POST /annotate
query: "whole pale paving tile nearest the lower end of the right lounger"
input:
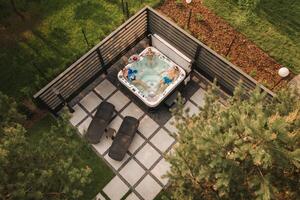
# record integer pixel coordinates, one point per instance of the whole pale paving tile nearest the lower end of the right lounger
(132, 172)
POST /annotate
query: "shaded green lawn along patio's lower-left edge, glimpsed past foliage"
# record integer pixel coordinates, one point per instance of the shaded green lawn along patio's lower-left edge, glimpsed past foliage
(101, 173)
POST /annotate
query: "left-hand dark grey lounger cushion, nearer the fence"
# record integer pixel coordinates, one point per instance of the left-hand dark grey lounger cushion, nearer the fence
(99, 123)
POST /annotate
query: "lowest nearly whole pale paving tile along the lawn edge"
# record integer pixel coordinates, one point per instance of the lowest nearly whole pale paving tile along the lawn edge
(115, 189)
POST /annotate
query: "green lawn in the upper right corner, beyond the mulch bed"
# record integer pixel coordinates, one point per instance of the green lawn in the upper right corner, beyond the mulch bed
(276, 28)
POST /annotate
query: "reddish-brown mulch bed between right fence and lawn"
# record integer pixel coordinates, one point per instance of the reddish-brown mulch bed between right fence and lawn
(225, 40)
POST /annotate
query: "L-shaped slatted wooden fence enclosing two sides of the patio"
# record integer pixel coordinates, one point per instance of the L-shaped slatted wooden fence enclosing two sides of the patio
(147, 21)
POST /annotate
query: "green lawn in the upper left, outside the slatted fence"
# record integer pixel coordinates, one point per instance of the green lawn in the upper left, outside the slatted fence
(36, 50)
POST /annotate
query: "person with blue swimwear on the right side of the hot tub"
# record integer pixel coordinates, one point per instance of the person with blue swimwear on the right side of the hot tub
(168, 77)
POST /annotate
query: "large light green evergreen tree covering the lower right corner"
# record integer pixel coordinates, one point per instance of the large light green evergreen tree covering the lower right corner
(246, 150)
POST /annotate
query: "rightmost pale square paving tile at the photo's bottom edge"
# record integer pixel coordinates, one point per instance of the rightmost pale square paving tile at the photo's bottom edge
(148, 188)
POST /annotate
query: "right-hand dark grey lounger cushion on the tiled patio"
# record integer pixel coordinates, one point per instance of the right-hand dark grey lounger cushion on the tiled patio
(123, 139)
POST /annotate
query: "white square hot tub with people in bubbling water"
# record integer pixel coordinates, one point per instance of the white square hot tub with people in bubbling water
(151, 78)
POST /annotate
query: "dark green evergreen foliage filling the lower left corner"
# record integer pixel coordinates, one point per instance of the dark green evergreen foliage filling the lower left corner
(44, 171)
